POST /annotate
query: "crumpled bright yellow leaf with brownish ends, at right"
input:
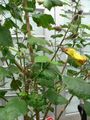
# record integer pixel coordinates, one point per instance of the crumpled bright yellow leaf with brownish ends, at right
(80, 59)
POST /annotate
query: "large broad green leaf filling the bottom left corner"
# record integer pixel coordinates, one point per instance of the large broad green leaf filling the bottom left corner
(14, 108)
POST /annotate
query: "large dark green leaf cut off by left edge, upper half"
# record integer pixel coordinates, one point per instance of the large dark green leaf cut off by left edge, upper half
(5, 37)
